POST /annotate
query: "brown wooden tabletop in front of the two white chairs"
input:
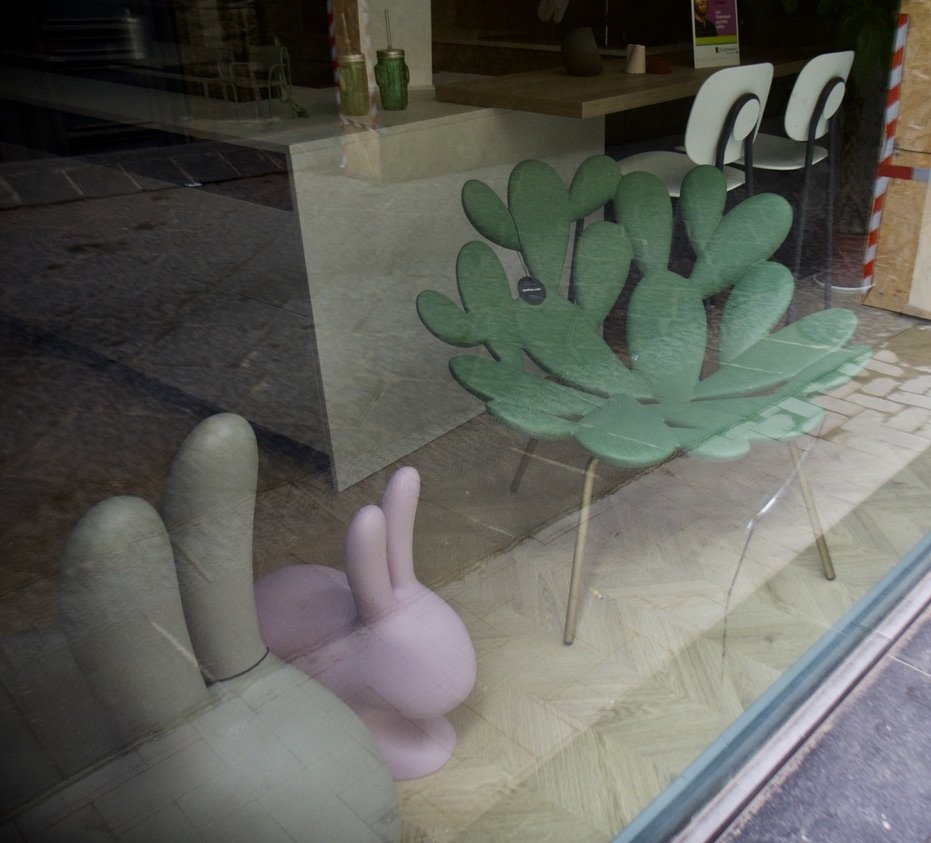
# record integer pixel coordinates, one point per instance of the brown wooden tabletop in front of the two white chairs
(556, 92)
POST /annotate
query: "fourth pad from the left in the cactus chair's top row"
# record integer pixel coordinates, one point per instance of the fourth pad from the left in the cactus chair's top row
(644, 208)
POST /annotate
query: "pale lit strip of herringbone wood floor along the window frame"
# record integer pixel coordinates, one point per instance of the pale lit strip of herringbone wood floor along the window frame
(561, 743)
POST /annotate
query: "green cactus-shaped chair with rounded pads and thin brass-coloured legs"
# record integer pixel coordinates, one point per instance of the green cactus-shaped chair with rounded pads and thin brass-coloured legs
(675, 395)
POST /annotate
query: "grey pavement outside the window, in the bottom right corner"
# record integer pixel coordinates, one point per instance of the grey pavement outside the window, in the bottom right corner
(865, 774)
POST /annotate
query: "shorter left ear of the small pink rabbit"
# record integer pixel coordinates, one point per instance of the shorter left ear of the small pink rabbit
(367, 564)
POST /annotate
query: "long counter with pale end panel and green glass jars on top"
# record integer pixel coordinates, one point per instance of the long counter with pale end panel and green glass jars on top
(376, 219)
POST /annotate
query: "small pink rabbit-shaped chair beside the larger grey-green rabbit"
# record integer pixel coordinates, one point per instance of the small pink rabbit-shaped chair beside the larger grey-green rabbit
(389, 647)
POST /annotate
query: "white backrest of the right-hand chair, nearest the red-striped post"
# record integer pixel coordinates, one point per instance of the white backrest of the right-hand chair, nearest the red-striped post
(825, 74)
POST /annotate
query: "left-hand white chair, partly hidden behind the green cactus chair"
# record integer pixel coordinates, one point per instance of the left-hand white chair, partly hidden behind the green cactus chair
(722, 125)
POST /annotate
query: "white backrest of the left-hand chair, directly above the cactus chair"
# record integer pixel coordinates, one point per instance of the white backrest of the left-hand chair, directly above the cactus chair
(747, 86)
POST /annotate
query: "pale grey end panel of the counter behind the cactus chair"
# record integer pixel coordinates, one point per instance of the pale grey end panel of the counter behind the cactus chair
(380, 220)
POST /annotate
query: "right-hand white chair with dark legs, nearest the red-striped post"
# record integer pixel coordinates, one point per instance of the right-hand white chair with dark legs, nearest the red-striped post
(813, 104)
